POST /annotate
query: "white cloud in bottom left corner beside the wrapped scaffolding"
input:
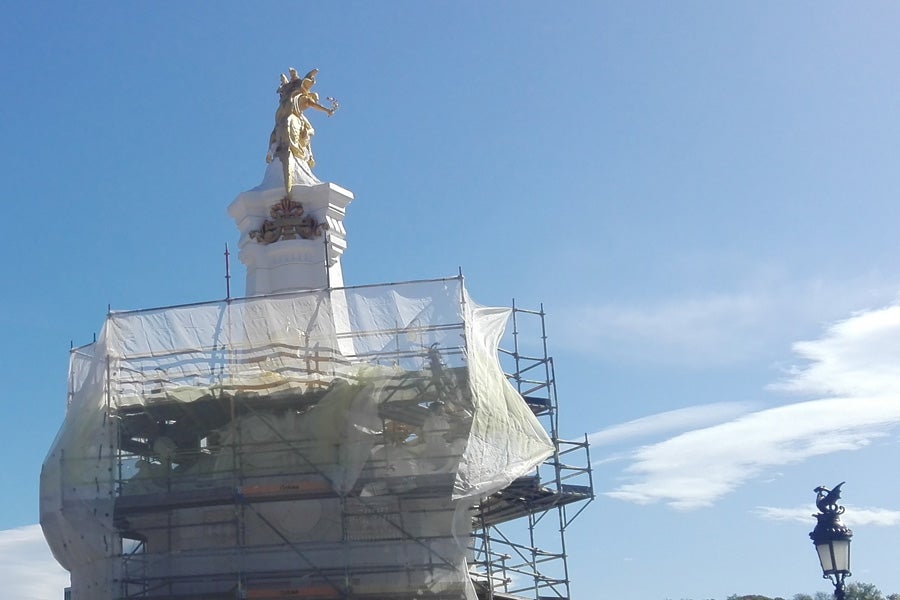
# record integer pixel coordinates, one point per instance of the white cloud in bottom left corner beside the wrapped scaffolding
(27, 569)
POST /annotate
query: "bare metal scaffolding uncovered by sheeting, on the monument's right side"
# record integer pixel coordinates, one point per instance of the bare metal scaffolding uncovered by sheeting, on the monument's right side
(520, 536)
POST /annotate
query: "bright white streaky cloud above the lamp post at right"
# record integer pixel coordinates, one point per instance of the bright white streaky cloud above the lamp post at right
(853, 358)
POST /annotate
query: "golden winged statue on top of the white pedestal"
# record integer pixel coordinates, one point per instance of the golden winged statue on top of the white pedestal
(290, 139)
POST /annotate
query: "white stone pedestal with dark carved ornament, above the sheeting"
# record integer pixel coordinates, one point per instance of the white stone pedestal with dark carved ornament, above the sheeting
(291, 243)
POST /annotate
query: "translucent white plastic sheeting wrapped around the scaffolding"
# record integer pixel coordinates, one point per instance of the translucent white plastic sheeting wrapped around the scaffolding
(313, 443)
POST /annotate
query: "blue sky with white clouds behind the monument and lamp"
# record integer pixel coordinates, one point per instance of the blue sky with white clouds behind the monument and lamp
(703, 195)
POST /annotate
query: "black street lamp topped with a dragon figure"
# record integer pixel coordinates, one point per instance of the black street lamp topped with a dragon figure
(832, 538)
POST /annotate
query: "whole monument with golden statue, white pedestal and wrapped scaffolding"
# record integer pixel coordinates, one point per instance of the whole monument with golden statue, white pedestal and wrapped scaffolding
(312, 440)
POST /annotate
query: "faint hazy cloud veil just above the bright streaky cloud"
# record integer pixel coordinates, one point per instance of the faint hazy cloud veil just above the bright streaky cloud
(749, 322)
